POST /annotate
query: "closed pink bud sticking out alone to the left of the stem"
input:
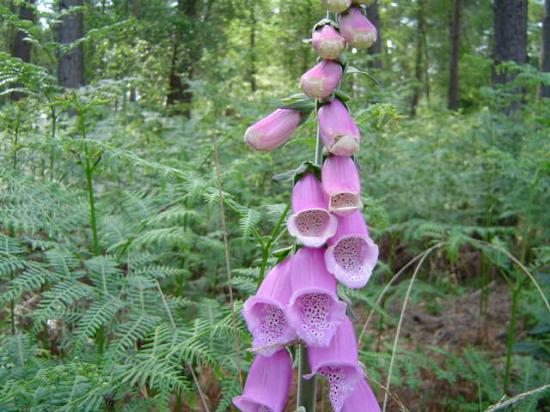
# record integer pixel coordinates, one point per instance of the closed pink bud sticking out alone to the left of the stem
(273, 130)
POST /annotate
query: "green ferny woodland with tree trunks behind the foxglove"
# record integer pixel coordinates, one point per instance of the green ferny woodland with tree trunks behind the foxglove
(127, 197)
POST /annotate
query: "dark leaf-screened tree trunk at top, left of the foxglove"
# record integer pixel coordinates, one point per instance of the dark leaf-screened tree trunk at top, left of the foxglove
(183, 61)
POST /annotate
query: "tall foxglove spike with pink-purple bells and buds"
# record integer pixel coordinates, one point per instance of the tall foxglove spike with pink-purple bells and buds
(297, 301)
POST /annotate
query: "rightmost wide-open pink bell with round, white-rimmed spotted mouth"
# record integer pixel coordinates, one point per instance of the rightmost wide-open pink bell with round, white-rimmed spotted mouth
(351, 255)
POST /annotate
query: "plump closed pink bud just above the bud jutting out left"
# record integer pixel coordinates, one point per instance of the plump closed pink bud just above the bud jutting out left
(321, 80)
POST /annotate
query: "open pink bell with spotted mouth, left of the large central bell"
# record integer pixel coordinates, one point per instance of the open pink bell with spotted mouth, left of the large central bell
(264, 312)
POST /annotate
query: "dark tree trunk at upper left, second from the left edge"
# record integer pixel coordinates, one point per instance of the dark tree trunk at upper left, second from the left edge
(70, 69)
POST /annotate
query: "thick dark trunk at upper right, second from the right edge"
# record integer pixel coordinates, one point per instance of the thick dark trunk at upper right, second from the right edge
(510, 36)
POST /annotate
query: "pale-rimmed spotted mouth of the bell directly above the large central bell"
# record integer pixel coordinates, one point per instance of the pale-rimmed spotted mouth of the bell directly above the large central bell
(312, 227)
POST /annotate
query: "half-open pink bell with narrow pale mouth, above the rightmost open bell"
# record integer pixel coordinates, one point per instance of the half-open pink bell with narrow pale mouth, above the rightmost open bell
(342, 184)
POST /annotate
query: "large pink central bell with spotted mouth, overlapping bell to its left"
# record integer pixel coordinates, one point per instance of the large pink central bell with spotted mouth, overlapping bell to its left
(314, 310)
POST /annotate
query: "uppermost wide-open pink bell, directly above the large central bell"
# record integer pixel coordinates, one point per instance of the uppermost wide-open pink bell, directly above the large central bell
(311, 223)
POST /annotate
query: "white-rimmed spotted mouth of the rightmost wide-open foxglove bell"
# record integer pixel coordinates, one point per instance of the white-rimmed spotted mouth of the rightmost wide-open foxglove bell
(351, 259)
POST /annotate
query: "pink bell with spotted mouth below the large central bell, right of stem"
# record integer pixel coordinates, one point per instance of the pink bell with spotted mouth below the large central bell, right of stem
(338, 363)
